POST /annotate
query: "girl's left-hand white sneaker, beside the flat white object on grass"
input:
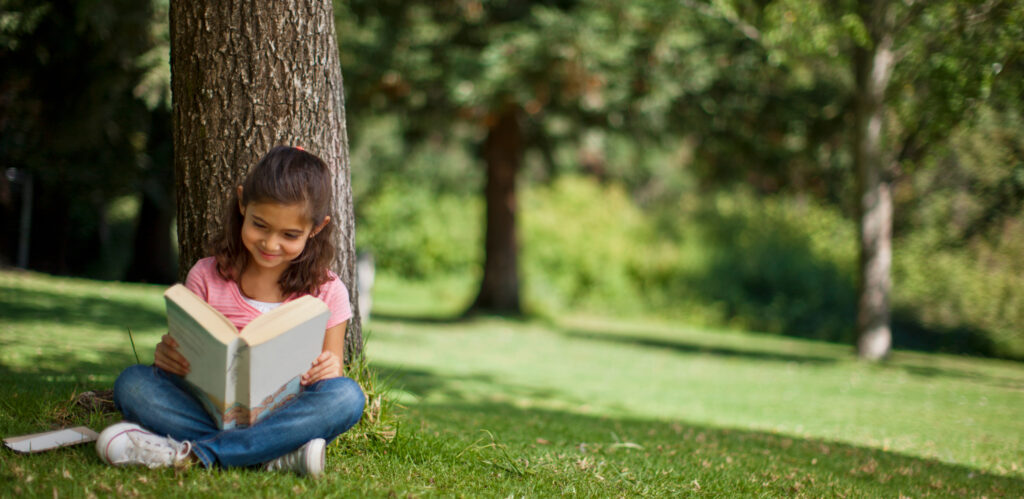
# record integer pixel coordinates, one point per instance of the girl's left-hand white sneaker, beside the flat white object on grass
(125, 444)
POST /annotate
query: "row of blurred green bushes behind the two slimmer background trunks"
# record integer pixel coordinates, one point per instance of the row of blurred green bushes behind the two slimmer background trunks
(777, 265)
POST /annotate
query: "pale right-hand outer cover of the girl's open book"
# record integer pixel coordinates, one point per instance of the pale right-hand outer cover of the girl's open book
(277, 361)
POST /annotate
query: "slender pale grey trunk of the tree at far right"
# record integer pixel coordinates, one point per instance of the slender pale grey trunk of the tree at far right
(873, 67)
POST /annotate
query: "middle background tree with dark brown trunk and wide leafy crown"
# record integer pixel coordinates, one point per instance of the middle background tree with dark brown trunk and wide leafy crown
(541, 78)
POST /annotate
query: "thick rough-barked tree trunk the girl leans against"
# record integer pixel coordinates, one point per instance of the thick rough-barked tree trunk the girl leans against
(247, 76)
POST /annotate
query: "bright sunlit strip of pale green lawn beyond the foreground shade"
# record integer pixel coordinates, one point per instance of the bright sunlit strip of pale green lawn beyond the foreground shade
(803, 389)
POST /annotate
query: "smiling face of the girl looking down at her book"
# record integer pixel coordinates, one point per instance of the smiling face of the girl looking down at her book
(276, 234)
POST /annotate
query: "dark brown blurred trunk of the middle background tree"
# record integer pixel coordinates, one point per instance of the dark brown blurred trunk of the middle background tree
(503, 154)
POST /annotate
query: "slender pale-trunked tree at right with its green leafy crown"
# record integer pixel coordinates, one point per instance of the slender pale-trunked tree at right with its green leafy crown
(917, 71)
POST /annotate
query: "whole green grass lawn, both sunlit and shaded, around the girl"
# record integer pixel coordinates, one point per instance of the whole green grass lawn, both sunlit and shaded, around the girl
(578, 406)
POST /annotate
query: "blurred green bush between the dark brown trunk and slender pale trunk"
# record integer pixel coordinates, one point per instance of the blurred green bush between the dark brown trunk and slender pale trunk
(774, 265)
